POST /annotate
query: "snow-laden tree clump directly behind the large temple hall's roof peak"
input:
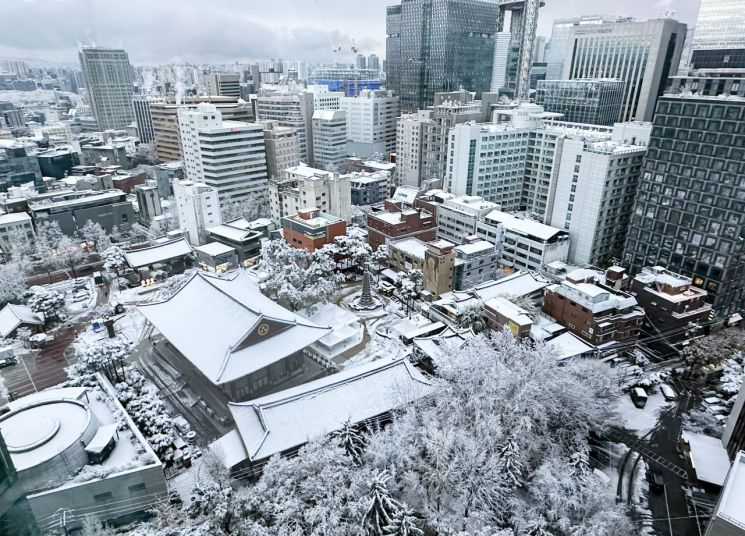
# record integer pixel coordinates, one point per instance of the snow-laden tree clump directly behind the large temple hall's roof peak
(296, 278)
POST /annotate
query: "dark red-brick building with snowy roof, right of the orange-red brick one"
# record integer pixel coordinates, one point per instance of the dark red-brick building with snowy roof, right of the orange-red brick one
(398, 221)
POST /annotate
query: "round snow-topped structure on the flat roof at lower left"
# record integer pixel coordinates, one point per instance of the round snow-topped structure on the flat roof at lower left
(46, 438)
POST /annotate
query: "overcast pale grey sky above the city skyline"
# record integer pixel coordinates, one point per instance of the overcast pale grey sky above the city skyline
(160, 31)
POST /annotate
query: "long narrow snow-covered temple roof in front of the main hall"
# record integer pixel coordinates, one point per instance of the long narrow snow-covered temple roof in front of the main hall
(288, 419)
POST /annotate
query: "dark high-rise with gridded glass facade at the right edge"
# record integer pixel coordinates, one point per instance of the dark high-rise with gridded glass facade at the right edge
(690, 210)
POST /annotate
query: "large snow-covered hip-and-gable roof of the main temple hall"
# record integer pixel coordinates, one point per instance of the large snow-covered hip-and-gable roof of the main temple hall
(241, 331)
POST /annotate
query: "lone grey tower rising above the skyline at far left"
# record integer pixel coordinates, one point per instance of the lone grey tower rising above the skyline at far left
(108, 79)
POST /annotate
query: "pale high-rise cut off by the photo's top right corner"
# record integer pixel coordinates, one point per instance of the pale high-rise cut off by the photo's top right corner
(719, 38)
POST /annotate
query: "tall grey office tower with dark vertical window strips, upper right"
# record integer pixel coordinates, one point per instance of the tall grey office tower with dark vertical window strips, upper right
(643, 54)
